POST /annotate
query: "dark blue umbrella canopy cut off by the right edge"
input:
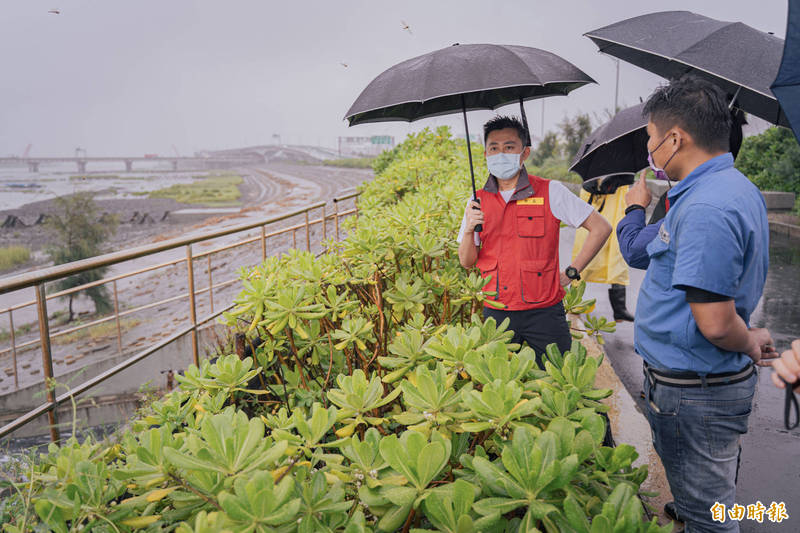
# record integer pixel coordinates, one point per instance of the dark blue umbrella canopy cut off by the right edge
(787, 84)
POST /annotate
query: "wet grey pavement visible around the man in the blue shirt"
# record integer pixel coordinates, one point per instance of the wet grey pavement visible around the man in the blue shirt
(770, 468)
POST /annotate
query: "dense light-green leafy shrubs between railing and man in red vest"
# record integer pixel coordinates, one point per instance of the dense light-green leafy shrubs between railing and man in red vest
(376, 400)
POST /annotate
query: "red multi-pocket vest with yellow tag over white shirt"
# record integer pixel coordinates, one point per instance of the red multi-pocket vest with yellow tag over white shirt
(519, 245)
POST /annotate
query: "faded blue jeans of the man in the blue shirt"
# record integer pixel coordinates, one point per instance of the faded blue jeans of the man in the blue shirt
(696, 432)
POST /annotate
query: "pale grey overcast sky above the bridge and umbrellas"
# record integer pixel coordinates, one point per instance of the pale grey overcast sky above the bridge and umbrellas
(126, 78)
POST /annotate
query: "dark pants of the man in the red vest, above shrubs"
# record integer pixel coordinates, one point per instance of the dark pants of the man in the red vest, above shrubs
(537, 327)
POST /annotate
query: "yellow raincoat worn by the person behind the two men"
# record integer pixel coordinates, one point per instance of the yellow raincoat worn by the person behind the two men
(608, 266)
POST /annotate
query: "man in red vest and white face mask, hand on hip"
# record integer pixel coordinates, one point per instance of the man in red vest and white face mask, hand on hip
(517, 249)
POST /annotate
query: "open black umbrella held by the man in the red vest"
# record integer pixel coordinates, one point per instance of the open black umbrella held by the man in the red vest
(462, 78)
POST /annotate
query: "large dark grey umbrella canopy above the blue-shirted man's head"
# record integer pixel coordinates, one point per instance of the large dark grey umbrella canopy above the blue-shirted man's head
(741, 60)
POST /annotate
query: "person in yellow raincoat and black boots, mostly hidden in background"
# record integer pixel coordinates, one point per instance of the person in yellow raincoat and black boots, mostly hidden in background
(607, 196)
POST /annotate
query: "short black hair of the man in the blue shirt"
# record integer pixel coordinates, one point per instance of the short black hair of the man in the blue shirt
(697, 106)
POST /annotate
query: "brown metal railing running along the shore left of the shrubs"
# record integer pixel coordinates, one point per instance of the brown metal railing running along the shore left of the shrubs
(38, 279)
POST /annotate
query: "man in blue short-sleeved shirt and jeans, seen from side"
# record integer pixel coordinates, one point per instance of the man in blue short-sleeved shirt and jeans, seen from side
(706, 273)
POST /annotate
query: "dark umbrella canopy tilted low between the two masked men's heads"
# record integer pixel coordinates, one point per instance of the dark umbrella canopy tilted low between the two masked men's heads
(617, 147)
